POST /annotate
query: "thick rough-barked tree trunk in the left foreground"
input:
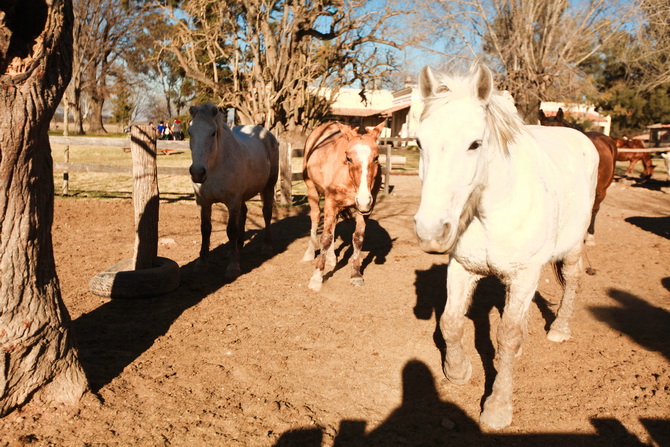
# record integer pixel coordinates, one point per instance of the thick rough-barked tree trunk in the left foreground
(37, 357)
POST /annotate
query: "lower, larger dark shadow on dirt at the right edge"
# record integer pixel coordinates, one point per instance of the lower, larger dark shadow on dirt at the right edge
(644, 323)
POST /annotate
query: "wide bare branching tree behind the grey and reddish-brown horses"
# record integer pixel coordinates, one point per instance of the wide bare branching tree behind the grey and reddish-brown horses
(265, 58)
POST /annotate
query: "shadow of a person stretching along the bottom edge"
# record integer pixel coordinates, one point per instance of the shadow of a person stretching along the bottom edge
(424, 419)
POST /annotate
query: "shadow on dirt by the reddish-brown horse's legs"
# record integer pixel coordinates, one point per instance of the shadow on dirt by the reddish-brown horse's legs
(377, 244)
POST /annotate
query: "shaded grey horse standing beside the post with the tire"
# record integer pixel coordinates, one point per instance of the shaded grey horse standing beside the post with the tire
(231, 167)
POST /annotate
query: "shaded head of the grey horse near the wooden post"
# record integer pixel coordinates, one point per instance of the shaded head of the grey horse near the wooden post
(203, 132)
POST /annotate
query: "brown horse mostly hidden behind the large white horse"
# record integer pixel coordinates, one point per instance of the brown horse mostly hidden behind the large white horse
(607, 153)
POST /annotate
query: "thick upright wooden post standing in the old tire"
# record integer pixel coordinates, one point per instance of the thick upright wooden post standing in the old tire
(145, 196)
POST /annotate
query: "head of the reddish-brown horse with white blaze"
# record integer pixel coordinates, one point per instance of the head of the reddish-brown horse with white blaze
(362, 160)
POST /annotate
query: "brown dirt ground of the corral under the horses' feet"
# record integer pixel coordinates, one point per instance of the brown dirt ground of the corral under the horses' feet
(263, 361)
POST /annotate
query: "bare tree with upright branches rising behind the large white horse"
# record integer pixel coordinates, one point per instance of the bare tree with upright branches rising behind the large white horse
(535, 45)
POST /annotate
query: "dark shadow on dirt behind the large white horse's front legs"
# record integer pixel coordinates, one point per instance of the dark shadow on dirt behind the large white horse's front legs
(489, 294)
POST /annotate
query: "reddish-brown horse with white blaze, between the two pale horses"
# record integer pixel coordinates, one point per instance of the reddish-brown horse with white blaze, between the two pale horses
(342, 166)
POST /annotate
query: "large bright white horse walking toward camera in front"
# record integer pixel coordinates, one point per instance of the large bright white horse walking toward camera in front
(502, 199)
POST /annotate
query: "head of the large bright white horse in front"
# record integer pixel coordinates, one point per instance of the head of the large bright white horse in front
(454, 136)
